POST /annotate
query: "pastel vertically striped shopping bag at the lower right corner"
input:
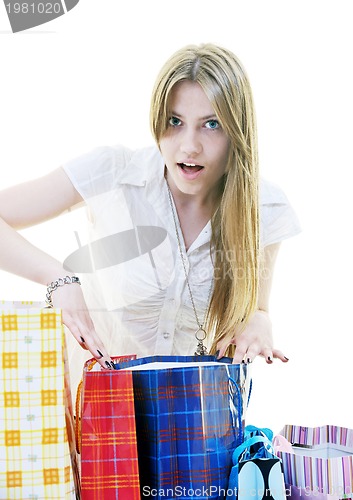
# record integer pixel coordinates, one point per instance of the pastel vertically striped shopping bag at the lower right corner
(320, 465)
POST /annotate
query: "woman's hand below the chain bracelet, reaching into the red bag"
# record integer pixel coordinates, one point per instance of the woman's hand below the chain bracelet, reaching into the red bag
(76, 317)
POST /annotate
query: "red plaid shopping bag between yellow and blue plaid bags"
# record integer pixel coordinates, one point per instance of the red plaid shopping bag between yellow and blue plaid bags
(107, 435)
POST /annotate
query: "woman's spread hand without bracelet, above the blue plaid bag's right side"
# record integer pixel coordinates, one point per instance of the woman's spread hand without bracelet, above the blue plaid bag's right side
(254, 340)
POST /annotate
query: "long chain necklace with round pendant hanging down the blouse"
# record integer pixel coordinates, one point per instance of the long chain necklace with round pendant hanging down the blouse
(200, 333)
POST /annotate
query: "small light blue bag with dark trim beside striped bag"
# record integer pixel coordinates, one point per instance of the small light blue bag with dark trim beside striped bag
(256, 473)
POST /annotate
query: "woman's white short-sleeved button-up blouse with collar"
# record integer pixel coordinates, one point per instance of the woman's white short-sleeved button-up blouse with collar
(132, 273)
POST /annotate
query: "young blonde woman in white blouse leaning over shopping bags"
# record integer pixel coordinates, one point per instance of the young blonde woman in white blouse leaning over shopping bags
(184, 236)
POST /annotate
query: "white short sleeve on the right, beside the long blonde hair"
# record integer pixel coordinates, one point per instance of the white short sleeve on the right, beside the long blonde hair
(278, 220)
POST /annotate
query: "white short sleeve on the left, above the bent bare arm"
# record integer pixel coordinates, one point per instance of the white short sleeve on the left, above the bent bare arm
(97, 171)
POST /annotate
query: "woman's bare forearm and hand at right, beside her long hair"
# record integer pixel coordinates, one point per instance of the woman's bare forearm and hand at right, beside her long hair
(256, 338)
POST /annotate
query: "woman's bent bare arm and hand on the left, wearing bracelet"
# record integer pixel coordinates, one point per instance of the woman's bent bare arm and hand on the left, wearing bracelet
(31, 203)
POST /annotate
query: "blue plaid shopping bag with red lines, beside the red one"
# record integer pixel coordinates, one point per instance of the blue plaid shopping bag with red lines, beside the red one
(189, 418)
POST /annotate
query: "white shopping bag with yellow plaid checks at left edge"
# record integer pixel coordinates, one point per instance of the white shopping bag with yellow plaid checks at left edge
(38, 458)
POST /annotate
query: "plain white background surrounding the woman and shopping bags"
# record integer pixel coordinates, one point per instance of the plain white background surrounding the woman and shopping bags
(85, 79)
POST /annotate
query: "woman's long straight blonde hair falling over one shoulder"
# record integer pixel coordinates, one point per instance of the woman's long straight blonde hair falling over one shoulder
(235, 223)
